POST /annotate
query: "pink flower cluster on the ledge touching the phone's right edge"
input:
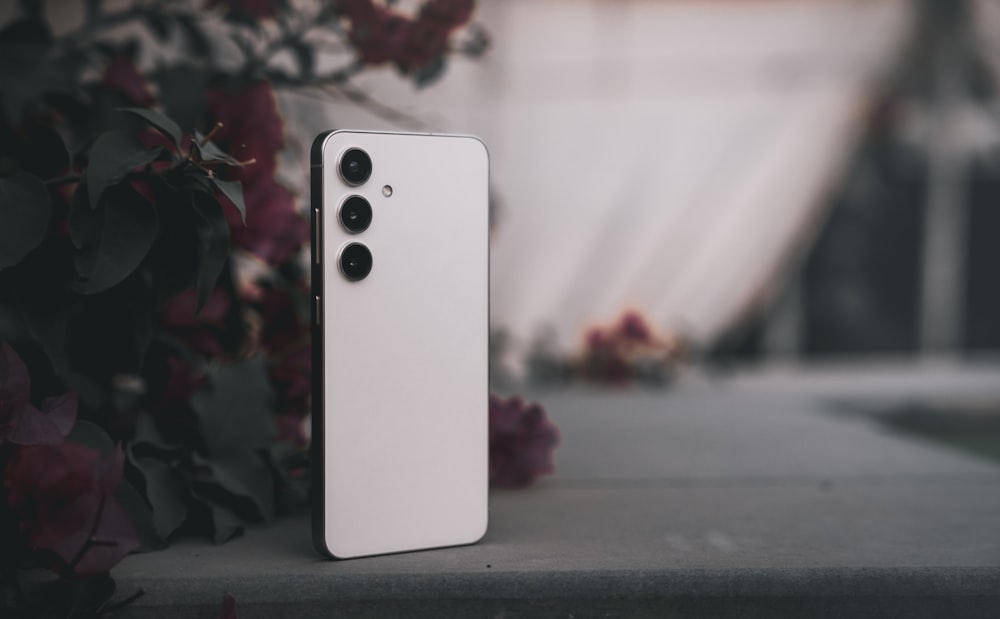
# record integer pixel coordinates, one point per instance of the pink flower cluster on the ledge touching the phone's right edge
(522, 440)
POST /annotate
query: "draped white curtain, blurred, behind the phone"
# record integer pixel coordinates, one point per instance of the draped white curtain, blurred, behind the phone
(667, 156)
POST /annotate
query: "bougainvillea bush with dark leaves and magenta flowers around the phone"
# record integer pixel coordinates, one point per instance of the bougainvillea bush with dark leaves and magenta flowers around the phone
(154, 337)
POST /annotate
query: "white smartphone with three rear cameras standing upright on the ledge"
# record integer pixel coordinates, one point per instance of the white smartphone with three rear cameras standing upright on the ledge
(400, 276)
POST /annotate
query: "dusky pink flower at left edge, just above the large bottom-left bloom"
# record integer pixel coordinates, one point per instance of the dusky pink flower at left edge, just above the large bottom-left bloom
(20, 421)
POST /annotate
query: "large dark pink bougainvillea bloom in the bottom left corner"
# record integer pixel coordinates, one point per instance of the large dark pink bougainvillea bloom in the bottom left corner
(63, 498)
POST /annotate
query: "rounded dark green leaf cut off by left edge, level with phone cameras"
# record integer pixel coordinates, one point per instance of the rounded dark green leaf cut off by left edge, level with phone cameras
(25, 210)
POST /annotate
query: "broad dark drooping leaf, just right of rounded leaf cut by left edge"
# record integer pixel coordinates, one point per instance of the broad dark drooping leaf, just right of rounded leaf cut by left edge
(127, 225)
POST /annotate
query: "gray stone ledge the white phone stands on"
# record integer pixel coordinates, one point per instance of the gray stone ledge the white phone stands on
(748, 497)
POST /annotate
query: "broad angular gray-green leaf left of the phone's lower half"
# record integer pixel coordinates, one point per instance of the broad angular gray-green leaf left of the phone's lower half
(236, 409)
